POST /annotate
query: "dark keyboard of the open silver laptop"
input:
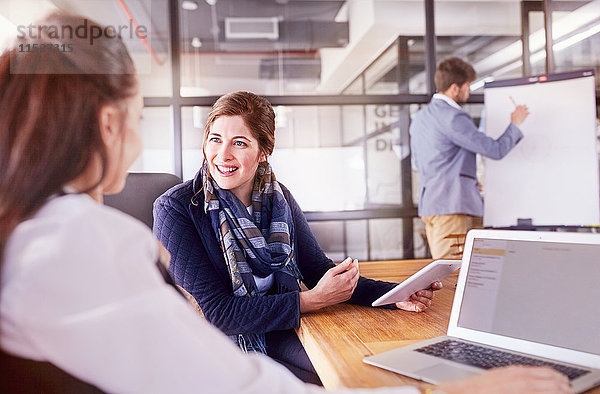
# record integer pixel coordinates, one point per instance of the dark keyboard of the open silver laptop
(486, 358)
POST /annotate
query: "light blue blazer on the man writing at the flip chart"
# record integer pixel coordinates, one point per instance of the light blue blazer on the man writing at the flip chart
(444, 143)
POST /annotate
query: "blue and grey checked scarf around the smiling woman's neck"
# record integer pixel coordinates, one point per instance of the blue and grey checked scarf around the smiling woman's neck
(261, 244)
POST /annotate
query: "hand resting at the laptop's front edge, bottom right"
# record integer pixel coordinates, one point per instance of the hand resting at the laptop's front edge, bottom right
(513, 379)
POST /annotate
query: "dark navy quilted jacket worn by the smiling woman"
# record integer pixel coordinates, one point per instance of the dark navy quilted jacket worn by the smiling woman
(197, 264)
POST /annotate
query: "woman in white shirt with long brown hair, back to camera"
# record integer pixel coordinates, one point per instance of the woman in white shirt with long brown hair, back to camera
(83, 307)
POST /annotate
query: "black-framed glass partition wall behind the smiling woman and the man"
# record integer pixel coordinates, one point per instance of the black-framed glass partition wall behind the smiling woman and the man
(345, 78)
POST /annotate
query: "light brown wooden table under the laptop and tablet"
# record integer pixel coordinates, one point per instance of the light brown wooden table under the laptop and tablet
(337, 338)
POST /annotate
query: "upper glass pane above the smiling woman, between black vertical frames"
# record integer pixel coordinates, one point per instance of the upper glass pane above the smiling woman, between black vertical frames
(302, 47)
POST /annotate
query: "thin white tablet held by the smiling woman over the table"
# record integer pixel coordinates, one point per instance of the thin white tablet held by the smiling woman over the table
(422, 279)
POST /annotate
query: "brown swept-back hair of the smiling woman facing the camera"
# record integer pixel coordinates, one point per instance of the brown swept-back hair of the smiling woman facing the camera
(256, 111)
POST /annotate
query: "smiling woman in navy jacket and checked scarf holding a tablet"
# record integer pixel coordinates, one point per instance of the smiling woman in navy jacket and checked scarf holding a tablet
(241, 246)
